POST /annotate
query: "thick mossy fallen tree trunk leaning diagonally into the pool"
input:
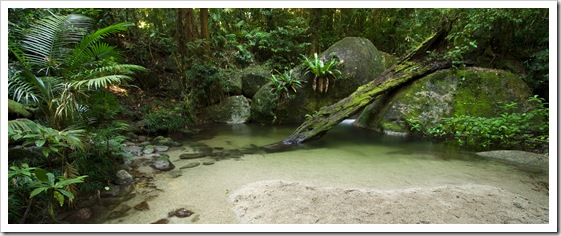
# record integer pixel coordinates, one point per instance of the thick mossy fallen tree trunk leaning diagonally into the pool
(411, 67)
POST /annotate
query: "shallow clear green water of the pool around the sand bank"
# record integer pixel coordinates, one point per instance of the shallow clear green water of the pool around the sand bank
(346, 157)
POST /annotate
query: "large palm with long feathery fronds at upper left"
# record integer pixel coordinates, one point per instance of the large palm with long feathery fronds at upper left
(58, 62)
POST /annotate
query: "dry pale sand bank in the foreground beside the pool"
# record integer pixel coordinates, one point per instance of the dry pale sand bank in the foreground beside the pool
(285, 202)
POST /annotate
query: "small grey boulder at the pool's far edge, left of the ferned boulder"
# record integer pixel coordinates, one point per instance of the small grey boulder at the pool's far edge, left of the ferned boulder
(232, 110)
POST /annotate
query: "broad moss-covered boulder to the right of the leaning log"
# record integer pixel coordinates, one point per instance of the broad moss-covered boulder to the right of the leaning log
(447, 93)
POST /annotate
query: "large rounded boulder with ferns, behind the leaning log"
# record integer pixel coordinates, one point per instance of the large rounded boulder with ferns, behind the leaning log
(360, 63)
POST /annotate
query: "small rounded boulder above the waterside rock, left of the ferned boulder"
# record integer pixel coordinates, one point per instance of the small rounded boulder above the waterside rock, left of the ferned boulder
(253, 78)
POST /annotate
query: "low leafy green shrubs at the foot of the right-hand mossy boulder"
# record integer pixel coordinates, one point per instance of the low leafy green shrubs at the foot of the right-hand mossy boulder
(528, 130)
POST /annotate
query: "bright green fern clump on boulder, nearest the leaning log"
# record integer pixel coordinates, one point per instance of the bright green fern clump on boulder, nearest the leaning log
(322, 71)
